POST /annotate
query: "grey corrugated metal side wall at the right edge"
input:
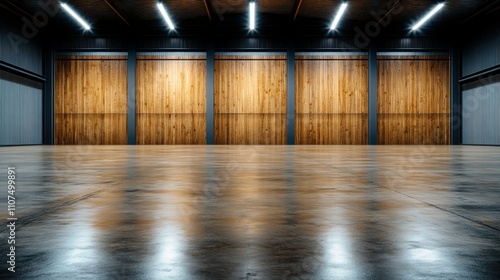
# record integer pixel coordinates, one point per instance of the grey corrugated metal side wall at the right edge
(481, 95)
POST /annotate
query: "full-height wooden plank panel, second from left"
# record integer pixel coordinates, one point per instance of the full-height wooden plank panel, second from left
(171, 100)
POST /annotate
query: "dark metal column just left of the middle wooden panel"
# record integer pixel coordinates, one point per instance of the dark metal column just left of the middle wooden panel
(210, 94)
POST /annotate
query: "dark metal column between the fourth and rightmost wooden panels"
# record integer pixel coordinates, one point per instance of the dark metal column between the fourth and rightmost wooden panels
(372, 95)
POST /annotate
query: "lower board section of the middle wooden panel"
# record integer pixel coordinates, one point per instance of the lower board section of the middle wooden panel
(250, 129)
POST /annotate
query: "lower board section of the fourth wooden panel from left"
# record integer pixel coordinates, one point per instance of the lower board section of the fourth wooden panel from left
(331, 129)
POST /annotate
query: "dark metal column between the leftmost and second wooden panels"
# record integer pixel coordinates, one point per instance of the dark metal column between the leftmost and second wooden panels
(131, 68)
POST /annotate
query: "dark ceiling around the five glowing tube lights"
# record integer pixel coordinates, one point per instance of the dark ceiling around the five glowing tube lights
(142, 16)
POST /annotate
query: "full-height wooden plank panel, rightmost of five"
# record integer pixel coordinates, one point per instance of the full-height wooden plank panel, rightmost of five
(413, 100)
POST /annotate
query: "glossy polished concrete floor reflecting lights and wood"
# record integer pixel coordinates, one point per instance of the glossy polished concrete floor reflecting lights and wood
(253, 212)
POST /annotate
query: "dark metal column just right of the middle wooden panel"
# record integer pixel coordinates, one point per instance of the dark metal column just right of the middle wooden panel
(290, 102)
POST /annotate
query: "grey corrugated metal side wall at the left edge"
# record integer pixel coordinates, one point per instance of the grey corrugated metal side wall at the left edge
(20, 98)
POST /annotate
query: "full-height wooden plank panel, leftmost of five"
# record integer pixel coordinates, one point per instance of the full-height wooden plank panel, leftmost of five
(91, 100)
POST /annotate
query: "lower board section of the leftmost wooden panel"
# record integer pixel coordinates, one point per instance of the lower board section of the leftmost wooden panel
(91, 129)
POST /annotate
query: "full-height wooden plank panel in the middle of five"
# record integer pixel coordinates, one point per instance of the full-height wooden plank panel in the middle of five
(250, 99)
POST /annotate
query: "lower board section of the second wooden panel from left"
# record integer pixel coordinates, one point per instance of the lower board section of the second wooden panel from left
(171, 129)
